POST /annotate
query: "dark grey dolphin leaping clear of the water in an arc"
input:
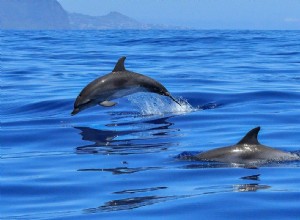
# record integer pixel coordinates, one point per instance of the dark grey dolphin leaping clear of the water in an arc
(120, 82)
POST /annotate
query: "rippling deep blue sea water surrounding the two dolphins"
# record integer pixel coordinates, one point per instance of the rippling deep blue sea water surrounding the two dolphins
(121, 162)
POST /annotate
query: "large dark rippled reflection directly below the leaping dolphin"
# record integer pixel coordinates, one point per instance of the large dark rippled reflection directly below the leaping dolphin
(134, 139)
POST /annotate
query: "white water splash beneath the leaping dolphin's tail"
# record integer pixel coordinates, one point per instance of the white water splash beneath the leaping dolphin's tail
(152, 104)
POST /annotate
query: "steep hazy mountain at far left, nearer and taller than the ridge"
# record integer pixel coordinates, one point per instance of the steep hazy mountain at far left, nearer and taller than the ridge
(33, 15)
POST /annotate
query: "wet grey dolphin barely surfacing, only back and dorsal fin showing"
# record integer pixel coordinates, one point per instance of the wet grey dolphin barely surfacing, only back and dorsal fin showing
(248, 150)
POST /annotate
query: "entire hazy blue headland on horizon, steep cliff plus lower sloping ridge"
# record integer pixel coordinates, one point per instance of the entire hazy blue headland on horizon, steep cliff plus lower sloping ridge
(50, 15)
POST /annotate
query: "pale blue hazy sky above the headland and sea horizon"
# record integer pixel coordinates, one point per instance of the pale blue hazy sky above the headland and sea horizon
(204, 14)
